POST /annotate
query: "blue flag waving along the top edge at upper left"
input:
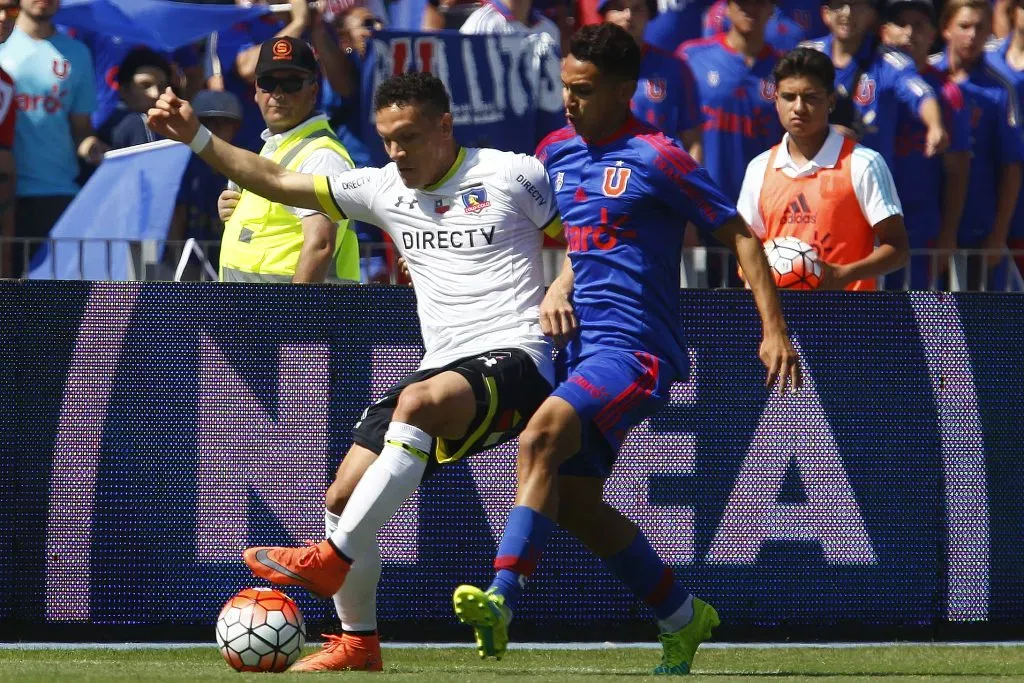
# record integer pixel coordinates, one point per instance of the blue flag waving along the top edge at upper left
(159, 24)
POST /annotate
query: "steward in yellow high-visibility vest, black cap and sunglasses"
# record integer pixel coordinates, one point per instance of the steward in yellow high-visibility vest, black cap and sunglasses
(266, 242)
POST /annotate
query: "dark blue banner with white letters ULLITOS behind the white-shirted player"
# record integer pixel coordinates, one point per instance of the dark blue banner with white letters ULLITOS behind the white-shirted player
(506, 91)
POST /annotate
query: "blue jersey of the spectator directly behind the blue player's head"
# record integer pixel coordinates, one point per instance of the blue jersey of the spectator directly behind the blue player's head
(666, 97)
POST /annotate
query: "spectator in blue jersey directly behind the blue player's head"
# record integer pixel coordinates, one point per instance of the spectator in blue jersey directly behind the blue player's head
(666, 97)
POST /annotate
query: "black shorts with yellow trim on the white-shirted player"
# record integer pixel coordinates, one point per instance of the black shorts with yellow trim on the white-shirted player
(508, 388)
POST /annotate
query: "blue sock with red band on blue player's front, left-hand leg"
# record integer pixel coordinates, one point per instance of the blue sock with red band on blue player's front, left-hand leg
(527, 533)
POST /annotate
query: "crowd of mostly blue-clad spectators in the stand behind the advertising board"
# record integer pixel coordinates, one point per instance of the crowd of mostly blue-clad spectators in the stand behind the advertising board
(948, 126)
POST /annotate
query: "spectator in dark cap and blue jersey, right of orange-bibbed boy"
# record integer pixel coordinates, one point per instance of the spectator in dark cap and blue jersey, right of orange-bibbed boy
(932, 218)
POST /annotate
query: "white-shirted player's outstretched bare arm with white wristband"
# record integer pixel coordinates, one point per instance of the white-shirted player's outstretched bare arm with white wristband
(174, 118)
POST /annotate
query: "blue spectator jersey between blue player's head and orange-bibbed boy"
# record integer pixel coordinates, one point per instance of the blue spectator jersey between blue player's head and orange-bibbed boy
(739, 107)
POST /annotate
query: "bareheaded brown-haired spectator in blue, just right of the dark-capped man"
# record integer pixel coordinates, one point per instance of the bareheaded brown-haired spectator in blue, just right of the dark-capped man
(996, 130)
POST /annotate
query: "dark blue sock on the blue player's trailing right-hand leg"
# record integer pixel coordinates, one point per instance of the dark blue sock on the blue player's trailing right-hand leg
(648, 577)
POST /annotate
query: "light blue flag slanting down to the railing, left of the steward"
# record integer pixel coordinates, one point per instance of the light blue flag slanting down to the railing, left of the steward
(131, 198)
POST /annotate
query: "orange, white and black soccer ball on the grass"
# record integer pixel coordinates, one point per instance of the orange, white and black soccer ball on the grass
(261, 629)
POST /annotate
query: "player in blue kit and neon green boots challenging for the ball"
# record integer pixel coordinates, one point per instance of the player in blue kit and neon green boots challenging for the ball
(625, 193)
